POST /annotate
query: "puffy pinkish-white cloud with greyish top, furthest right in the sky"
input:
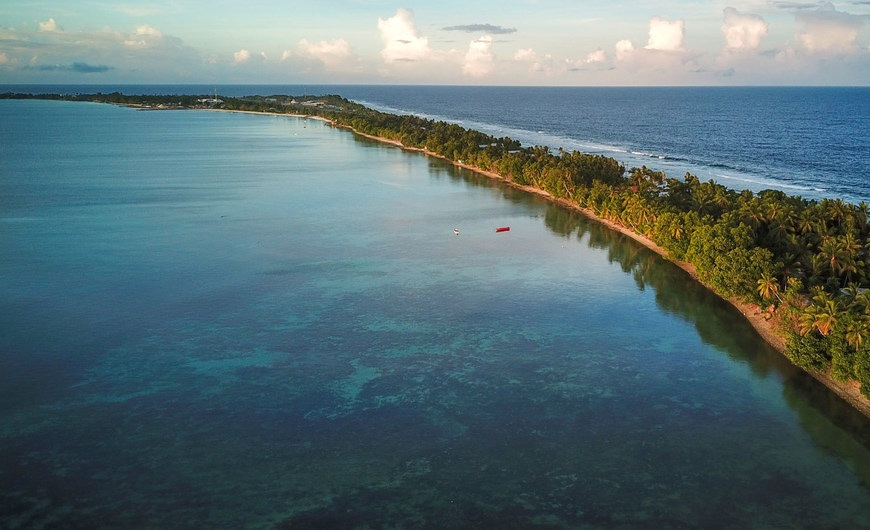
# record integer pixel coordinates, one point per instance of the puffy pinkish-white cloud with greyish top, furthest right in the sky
(827, 30)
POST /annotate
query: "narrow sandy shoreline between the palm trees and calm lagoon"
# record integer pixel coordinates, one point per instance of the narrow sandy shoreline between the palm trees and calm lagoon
(766, 328)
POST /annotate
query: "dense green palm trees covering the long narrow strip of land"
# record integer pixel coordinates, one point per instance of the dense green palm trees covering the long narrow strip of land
(804, 261)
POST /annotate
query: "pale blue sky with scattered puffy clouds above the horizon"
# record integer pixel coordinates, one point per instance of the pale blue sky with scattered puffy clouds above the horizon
(467, 42)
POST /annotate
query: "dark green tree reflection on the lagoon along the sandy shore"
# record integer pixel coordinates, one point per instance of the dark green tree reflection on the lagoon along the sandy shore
(718, 323)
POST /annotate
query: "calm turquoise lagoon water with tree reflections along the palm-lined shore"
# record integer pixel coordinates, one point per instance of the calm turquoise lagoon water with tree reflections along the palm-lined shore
(228, 320)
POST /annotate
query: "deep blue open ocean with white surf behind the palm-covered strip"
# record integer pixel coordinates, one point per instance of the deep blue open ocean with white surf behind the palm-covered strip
(807, 141)
